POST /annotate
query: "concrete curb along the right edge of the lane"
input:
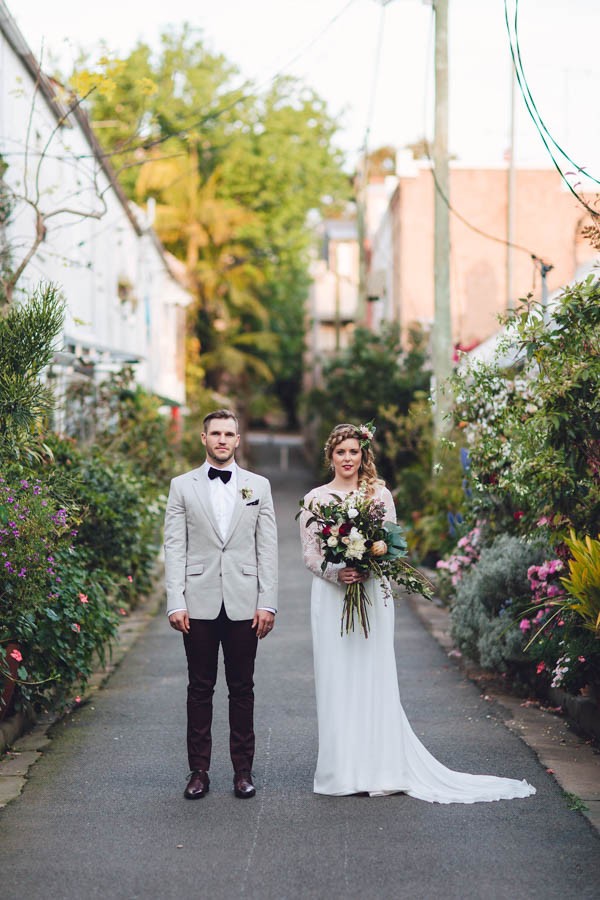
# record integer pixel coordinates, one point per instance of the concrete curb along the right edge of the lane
(573, 761)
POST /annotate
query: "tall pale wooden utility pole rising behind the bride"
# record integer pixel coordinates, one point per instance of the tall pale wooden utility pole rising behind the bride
(442, 328)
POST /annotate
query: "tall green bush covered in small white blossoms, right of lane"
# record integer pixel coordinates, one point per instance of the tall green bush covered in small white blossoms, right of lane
(533, 431)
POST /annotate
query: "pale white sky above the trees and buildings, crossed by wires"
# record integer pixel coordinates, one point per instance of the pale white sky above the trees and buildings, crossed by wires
(333, 46)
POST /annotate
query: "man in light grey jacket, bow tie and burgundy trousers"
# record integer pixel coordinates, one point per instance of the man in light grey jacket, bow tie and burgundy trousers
(221, 582)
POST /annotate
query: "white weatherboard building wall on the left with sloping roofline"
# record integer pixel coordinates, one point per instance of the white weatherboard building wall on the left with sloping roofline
(92, 259)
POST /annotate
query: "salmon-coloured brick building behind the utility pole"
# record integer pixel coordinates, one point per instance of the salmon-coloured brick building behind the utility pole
(547, 222)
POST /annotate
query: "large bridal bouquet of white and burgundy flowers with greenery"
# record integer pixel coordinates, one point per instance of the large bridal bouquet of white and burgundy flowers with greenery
(353, 531)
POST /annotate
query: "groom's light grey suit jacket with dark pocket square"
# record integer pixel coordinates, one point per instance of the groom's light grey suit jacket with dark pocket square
(203, 570)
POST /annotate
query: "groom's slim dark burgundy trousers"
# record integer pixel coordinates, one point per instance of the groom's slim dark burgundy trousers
(239, 641)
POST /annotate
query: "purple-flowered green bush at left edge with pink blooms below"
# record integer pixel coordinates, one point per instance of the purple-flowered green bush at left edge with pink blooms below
(57, 614)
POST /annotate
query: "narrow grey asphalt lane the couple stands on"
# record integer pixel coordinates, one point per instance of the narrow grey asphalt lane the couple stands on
(103, 816)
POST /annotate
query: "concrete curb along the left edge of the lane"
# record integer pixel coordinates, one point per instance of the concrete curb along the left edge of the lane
(26, 737)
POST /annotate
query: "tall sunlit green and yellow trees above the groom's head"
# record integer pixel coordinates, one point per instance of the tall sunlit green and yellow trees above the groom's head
(235, 172)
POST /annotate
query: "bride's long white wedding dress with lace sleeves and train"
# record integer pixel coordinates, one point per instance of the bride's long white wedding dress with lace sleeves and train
(366, 743)
